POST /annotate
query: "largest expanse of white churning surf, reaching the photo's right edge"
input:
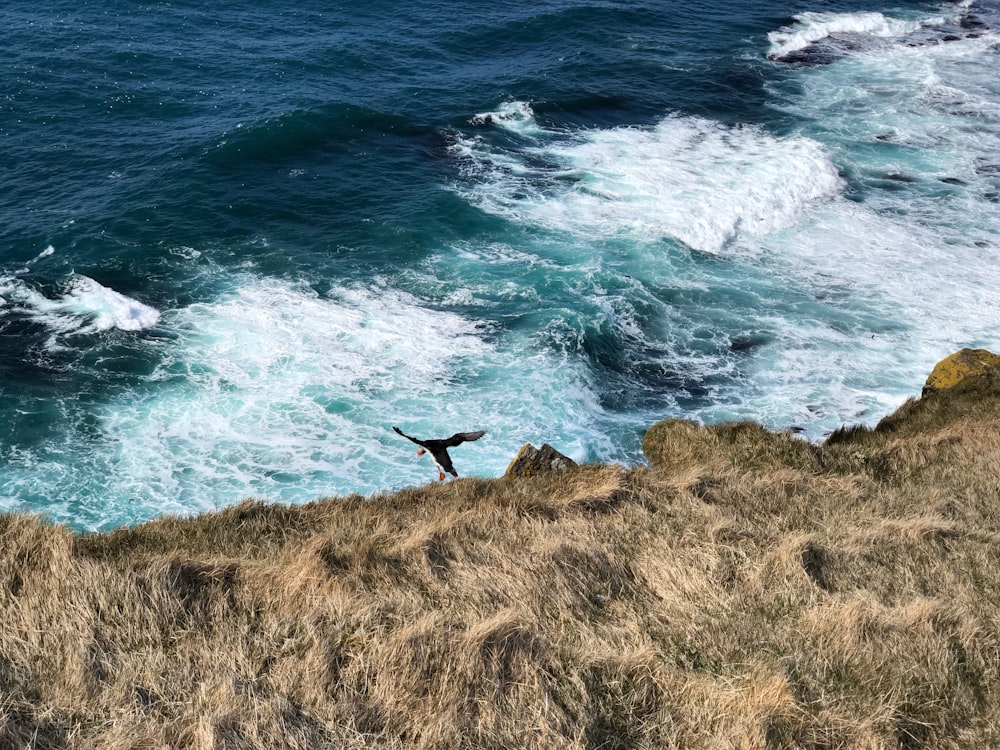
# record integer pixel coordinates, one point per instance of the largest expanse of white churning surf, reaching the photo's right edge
(819, 278)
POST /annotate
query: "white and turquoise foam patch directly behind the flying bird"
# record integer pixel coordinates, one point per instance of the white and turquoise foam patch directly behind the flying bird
(278, 392)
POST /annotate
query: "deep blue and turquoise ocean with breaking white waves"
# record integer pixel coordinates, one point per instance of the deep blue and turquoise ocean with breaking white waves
(240, 241)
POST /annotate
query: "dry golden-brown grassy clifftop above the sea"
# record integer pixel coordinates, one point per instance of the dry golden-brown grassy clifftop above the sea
(746, 589)
